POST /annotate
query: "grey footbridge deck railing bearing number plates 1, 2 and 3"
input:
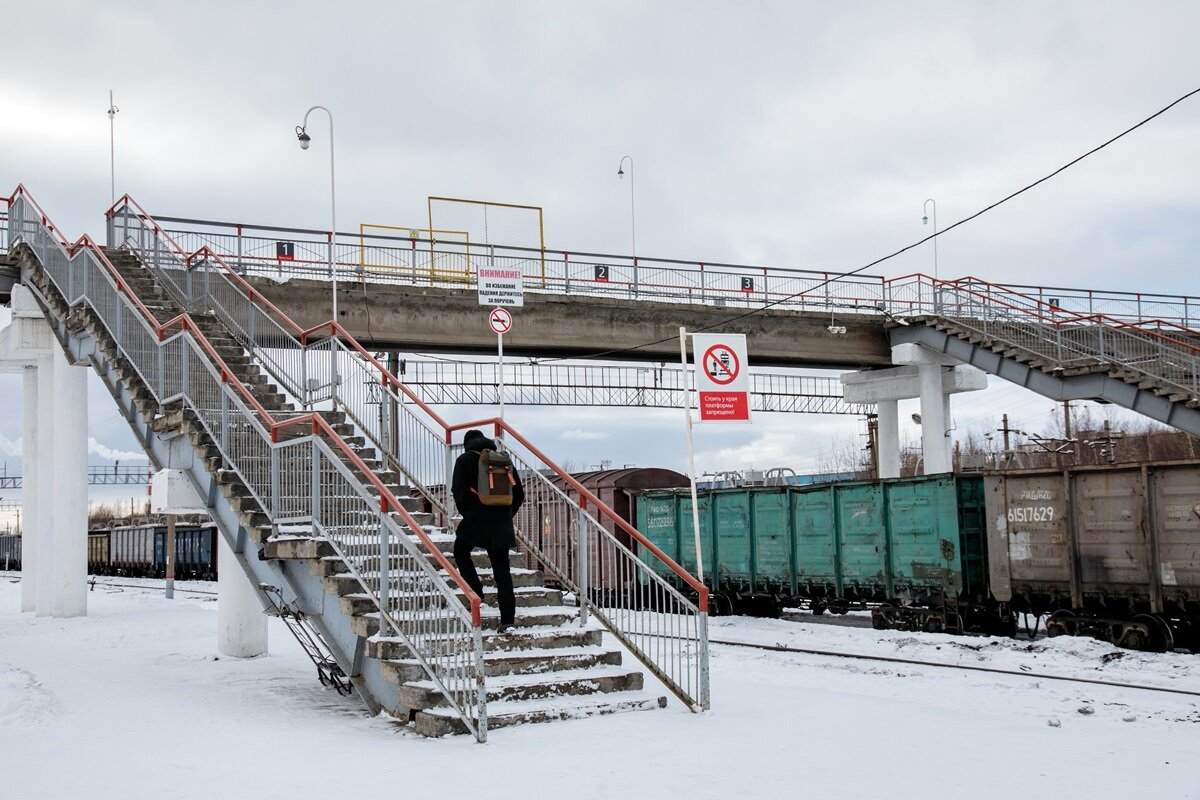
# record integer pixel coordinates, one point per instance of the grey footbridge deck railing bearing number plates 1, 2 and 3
(424, 262)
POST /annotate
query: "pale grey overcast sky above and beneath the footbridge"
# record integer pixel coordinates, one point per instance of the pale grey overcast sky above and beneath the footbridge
(803, 135)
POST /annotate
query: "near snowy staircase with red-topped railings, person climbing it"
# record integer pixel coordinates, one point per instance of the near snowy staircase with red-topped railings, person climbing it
(322, 510)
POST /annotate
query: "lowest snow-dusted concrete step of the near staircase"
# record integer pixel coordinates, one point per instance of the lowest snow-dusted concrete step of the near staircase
(440, 723)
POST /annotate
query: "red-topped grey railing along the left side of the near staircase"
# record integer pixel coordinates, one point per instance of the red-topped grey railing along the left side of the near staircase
(314, 478)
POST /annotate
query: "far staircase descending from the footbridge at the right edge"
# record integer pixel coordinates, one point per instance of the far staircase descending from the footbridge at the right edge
(1149, 366)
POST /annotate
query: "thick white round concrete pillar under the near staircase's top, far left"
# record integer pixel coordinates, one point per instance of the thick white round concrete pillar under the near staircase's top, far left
(63, 555)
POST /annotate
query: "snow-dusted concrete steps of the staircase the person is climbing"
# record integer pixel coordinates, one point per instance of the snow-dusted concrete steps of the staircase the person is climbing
(548, 669)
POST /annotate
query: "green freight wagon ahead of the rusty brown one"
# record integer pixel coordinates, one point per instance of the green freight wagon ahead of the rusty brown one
(911, 549)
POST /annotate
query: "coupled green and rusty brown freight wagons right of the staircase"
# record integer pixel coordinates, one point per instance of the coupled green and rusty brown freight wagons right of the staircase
(1111, 552)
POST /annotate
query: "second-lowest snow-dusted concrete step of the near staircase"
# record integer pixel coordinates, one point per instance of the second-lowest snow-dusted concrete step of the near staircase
(424, 695)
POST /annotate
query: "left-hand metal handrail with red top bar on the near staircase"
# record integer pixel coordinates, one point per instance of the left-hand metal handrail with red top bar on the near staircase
(219, 401)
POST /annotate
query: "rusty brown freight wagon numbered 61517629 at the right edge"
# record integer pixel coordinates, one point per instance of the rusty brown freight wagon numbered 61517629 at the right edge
(1112, 552)
